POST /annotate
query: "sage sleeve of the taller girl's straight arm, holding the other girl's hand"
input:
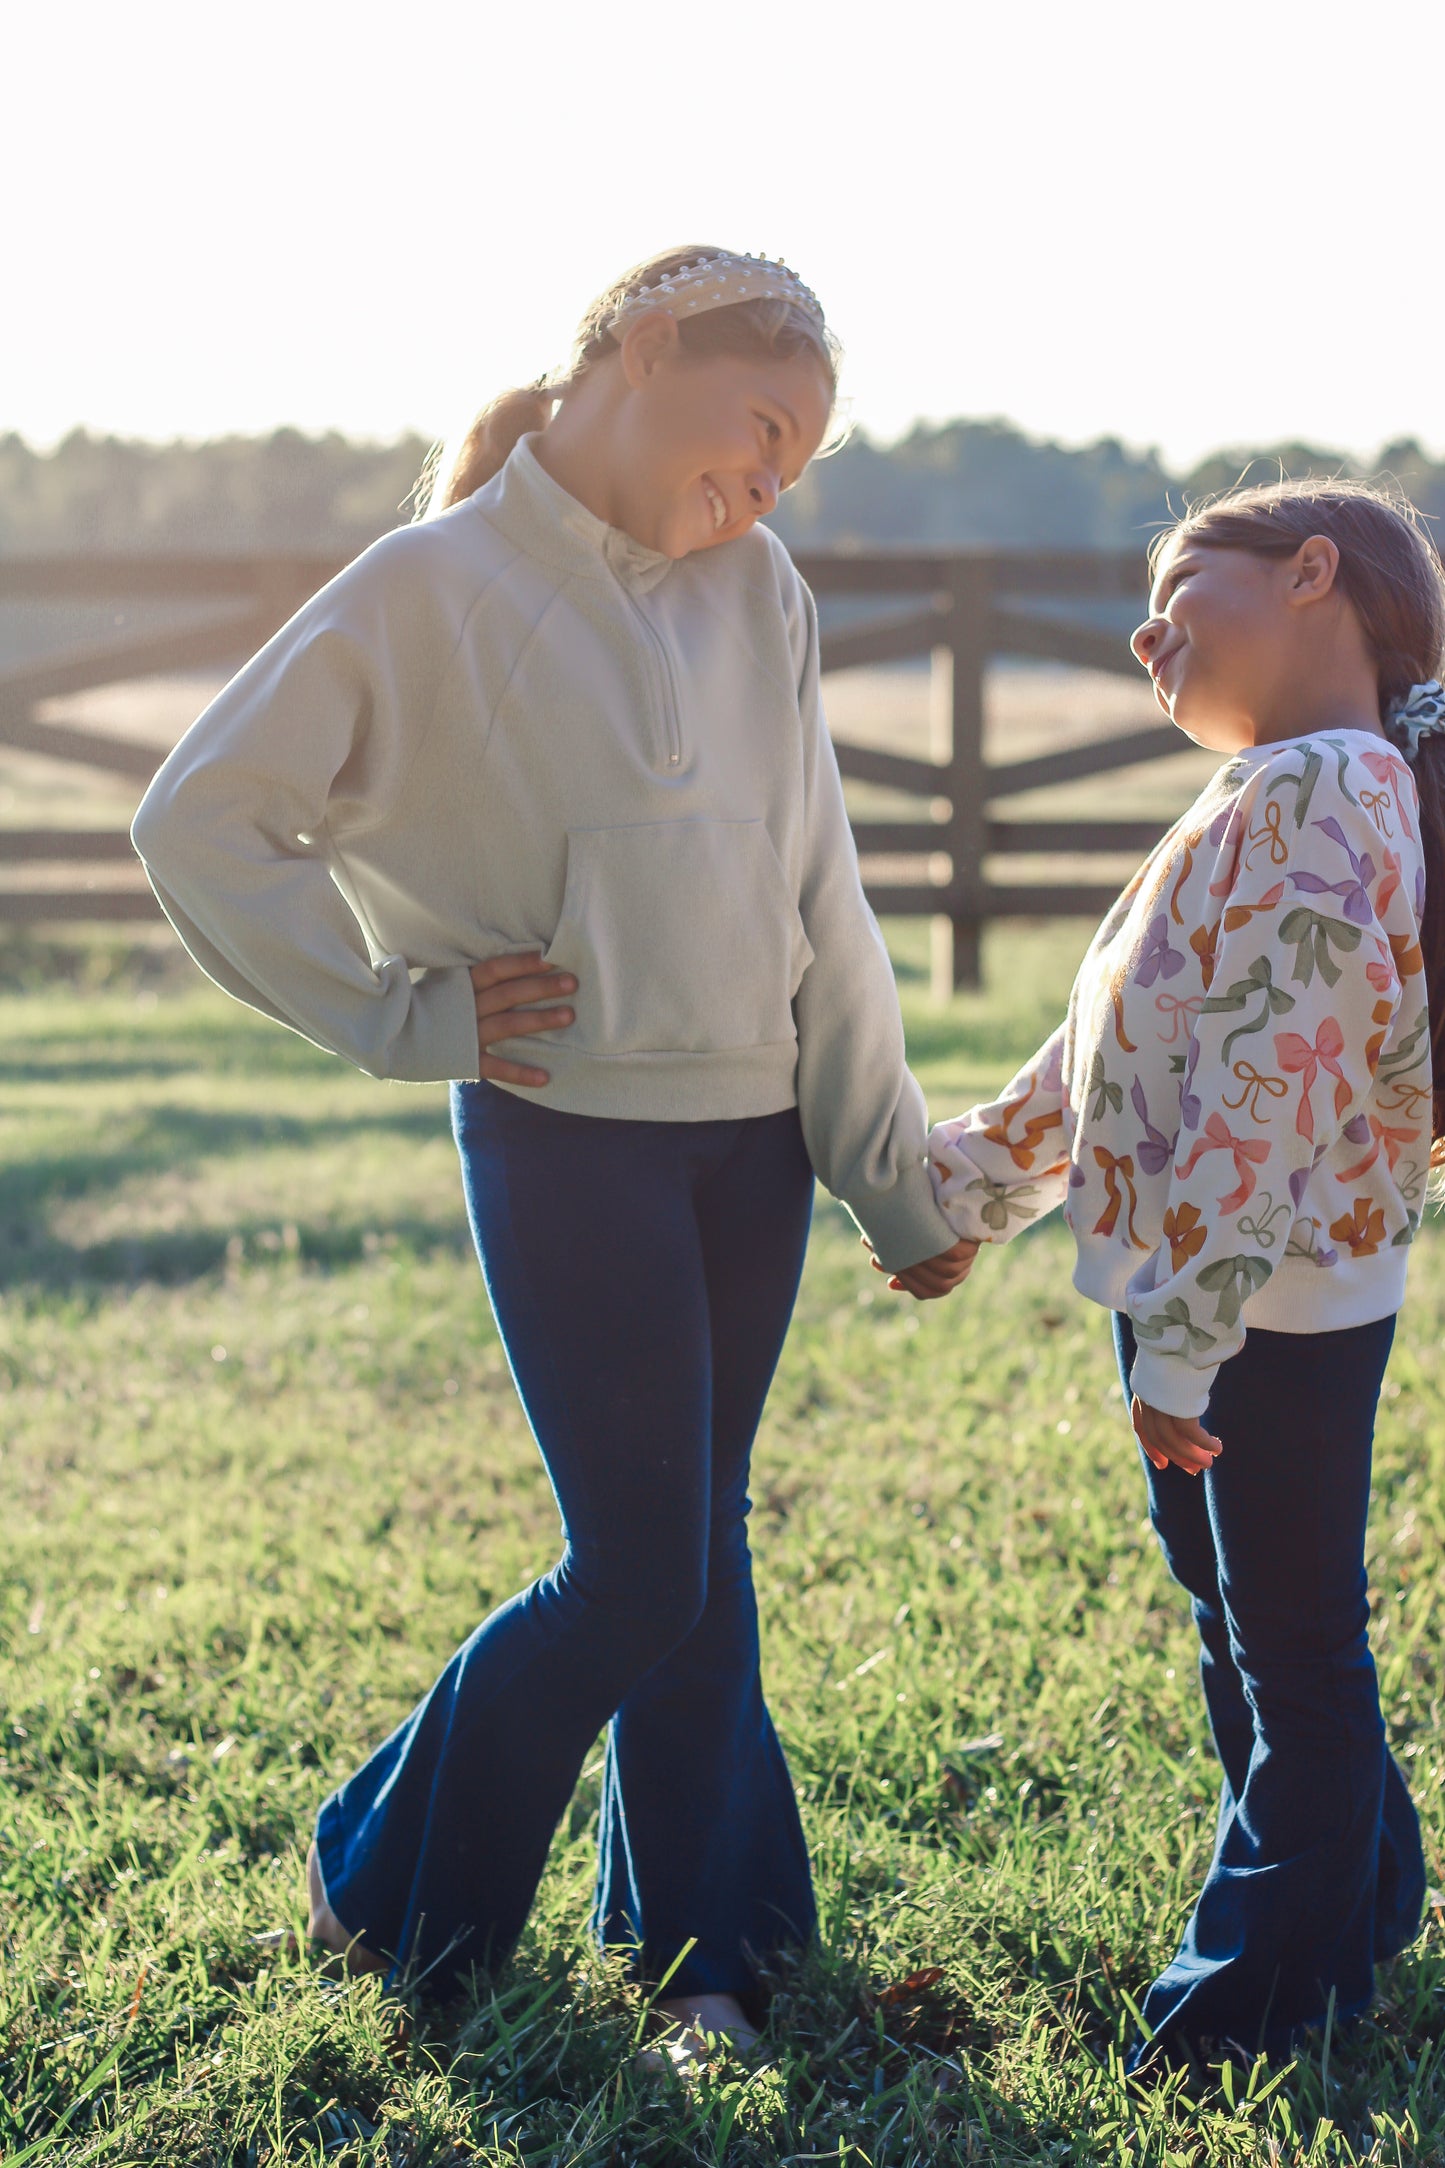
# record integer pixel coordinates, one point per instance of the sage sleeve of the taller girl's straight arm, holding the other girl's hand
(861, 1109)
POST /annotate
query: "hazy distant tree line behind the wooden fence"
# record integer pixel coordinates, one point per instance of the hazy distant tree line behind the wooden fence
(961, 482)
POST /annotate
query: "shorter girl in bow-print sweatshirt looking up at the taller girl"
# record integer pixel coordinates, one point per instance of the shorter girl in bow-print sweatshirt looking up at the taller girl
(1238, 1120)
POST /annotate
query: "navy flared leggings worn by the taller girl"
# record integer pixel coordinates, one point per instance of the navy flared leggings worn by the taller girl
(642, 1278)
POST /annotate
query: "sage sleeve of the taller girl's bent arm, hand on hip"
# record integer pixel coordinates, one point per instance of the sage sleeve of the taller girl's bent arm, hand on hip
(237, 827)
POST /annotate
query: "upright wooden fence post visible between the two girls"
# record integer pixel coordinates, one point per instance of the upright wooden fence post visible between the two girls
(959, 745)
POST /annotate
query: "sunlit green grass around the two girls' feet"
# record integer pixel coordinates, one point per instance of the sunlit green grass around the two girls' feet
(261, 1471)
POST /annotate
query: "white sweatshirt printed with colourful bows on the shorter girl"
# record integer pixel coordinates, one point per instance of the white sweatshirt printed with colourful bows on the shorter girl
(1236, 1115)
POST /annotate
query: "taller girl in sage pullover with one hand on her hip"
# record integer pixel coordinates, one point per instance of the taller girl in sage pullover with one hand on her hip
(571, 725)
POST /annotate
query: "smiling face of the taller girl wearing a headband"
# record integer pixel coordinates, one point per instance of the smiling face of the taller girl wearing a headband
(707, 446)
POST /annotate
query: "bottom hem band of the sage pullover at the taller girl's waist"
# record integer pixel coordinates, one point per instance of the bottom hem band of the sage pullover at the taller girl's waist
(660, 1087)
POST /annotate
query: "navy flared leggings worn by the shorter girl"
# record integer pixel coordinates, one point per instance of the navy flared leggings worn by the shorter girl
(1318, 1868)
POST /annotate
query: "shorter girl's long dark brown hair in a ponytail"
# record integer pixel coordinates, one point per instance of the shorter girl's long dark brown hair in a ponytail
(1390, 571)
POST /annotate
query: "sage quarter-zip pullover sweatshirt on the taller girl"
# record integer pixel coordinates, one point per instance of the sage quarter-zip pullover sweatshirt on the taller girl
(515, 727)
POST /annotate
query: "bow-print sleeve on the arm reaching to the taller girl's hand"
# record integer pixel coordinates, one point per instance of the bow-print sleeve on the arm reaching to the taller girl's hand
(1002, 1167)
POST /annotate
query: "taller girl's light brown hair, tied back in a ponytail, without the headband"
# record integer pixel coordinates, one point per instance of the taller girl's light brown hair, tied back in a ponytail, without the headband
(484, 448)
